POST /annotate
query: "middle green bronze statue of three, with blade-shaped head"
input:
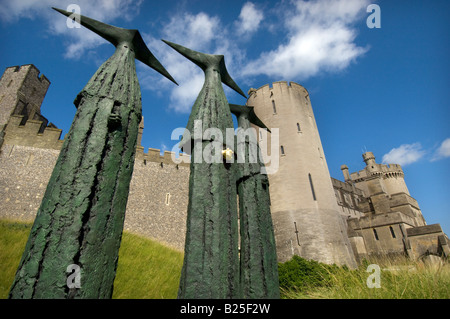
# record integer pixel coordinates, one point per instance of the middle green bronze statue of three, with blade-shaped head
(211, 260)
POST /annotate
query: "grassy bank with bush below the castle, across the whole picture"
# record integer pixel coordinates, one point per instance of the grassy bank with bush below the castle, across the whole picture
(150, 270)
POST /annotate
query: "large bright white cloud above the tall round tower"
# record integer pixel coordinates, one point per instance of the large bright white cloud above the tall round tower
(320, 37)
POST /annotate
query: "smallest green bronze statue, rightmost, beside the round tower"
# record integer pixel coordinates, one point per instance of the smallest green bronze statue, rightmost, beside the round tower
(258, 256)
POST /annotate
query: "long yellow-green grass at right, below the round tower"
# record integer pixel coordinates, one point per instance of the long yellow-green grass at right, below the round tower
(399, 279)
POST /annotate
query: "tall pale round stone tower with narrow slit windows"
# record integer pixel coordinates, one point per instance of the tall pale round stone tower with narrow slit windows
(305, 213)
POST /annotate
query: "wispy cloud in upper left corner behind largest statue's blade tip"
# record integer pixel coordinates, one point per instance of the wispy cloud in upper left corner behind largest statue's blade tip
(78, 40)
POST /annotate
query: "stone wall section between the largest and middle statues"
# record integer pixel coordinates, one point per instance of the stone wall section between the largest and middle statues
(157, 204)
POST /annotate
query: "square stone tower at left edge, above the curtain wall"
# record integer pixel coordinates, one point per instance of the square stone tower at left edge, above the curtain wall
(22, 91)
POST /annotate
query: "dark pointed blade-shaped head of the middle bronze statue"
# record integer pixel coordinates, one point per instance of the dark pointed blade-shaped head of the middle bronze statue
(204, 60)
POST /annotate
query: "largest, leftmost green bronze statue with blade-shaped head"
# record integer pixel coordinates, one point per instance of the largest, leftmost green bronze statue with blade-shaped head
(80, 220)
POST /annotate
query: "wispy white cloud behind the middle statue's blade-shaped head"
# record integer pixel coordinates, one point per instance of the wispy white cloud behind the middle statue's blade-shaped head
(199, 32)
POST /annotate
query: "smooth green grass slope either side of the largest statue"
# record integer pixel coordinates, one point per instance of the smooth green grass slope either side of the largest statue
(146, 269)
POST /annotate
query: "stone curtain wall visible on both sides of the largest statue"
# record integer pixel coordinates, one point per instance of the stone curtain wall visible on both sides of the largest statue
(156, 205)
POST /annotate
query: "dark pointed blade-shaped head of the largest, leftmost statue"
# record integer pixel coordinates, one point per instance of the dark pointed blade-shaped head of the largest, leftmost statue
(117, 35)
